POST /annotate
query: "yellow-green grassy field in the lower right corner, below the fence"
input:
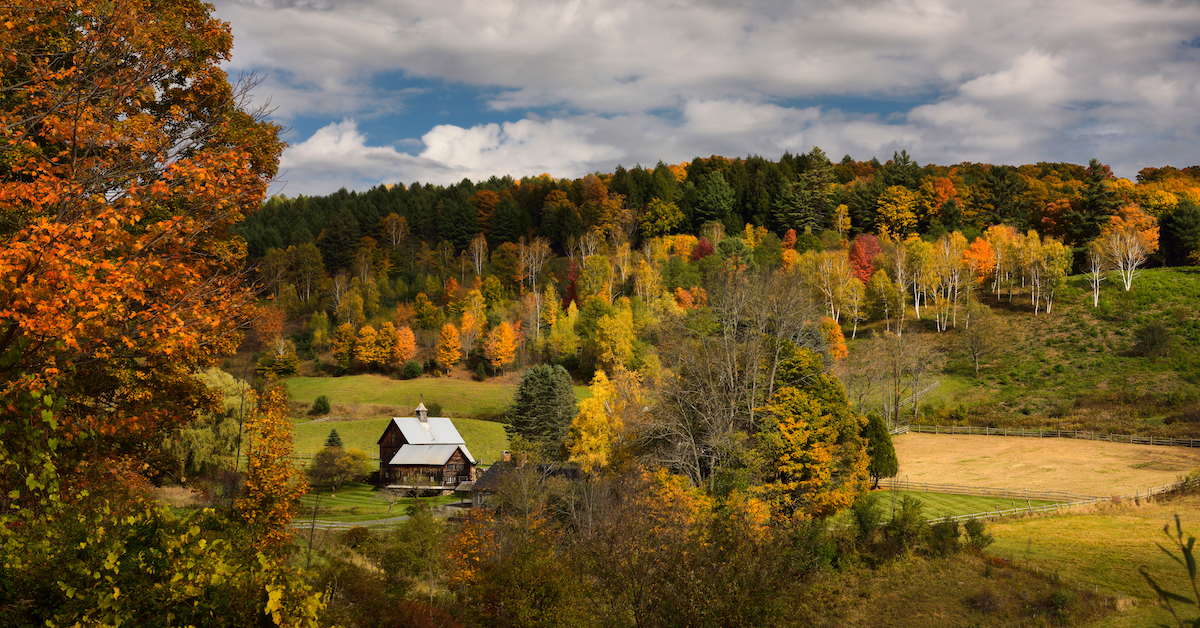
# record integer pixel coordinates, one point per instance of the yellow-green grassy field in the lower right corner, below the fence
(1103, 548)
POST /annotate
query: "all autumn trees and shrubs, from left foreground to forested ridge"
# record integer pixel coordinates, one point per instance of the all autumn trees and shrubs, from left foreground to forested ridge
(707, 306)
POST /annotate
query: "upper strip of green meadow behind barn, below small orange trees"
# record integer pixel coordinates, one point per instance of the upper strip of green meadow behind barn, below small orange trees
(364, 394)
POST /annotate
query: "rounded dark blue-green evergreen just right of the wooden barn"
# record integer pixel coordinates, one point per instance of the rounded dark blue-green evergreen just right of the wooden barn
(544, 408)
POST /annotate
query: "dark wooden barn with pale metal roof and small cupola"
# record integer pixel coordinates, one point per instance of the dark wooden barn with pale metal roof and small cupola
(424, 450)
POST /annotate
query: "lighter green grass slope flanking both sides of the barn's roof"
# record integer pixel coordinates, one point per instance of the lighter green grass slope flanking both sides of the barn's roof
(485, 440)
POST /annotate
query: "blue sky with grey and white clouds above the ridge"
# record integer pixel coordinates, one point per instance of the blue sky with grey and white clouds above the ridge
(386, 92)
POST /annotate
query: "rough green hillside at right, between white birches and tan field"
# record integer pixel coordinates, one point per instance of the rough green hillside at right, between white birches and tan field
(1077, 368)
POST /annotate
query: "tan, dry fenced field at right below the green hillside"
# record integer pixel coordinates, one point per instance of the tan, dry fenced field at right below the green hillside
(1084, 468)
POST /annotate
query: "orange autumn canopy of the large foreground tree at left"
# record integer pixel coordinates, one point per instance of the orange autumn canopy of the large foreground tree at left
(128, 158)
